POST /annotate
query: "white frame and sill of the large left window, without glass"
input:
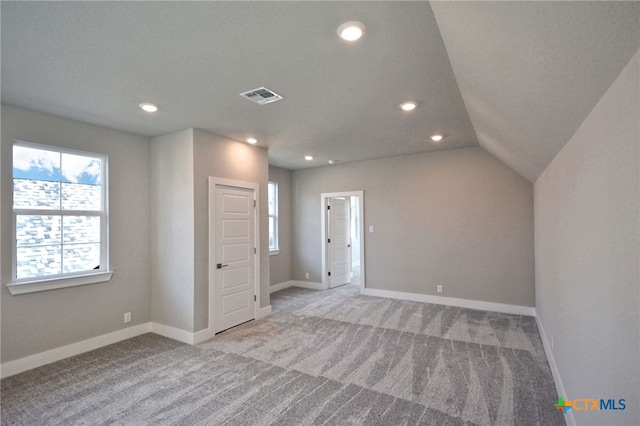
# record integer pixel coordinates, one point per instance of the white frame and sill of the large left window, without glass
(51, 282)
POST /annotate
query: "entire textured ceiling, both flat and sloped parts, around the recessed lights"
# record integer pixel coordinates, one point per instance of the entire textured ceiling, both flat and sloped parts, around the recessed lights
(516, 77)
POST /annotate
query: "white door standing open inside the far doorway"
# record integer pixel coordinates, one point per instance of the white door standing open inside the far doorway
(339, 243)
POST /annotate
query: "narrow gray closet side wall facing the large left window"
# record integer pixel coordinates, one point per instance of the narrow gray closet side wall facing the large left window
(172, 259)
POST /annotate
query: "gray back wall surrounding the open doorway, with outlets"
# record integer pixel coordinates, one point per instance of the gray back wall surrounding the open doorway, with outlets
(459, 218)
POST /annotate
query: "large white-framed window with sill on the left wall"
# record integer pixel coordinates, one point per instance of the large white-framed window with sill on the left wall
(59, 218)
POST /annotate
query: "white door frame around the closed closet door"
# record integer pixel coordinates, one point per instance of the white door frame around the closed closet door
(213, 182)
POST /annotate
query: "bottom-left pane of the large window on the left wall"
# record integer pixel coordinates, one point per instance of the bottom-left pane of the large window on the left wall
(38, 261)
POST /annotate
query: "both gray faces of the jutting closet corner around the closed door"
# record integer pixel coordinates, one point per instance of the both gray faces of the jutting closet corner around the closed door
(182, 164)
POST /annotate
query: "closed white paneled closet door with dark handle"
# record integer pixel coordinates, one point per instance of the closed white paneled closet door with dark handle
(234, 256)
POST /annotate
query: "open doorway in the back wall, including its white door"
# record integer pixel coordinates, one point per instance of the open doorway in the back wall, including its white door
(342, 239)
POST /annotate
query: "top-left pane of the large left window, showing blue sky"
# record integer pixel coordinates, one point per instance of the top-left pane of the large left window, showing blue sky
(36, 164)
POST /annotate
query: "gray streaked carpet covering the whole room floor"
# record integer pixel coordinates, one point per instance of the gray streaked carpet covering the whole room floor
(332, 357)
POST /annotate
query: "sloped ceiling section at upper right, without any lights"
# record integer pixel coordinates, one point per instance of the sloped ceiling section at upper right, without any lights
(530, 72)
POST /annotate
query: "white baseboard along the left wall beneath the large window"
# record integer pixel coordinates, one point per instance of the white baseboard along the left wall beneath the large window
(30, 362)
